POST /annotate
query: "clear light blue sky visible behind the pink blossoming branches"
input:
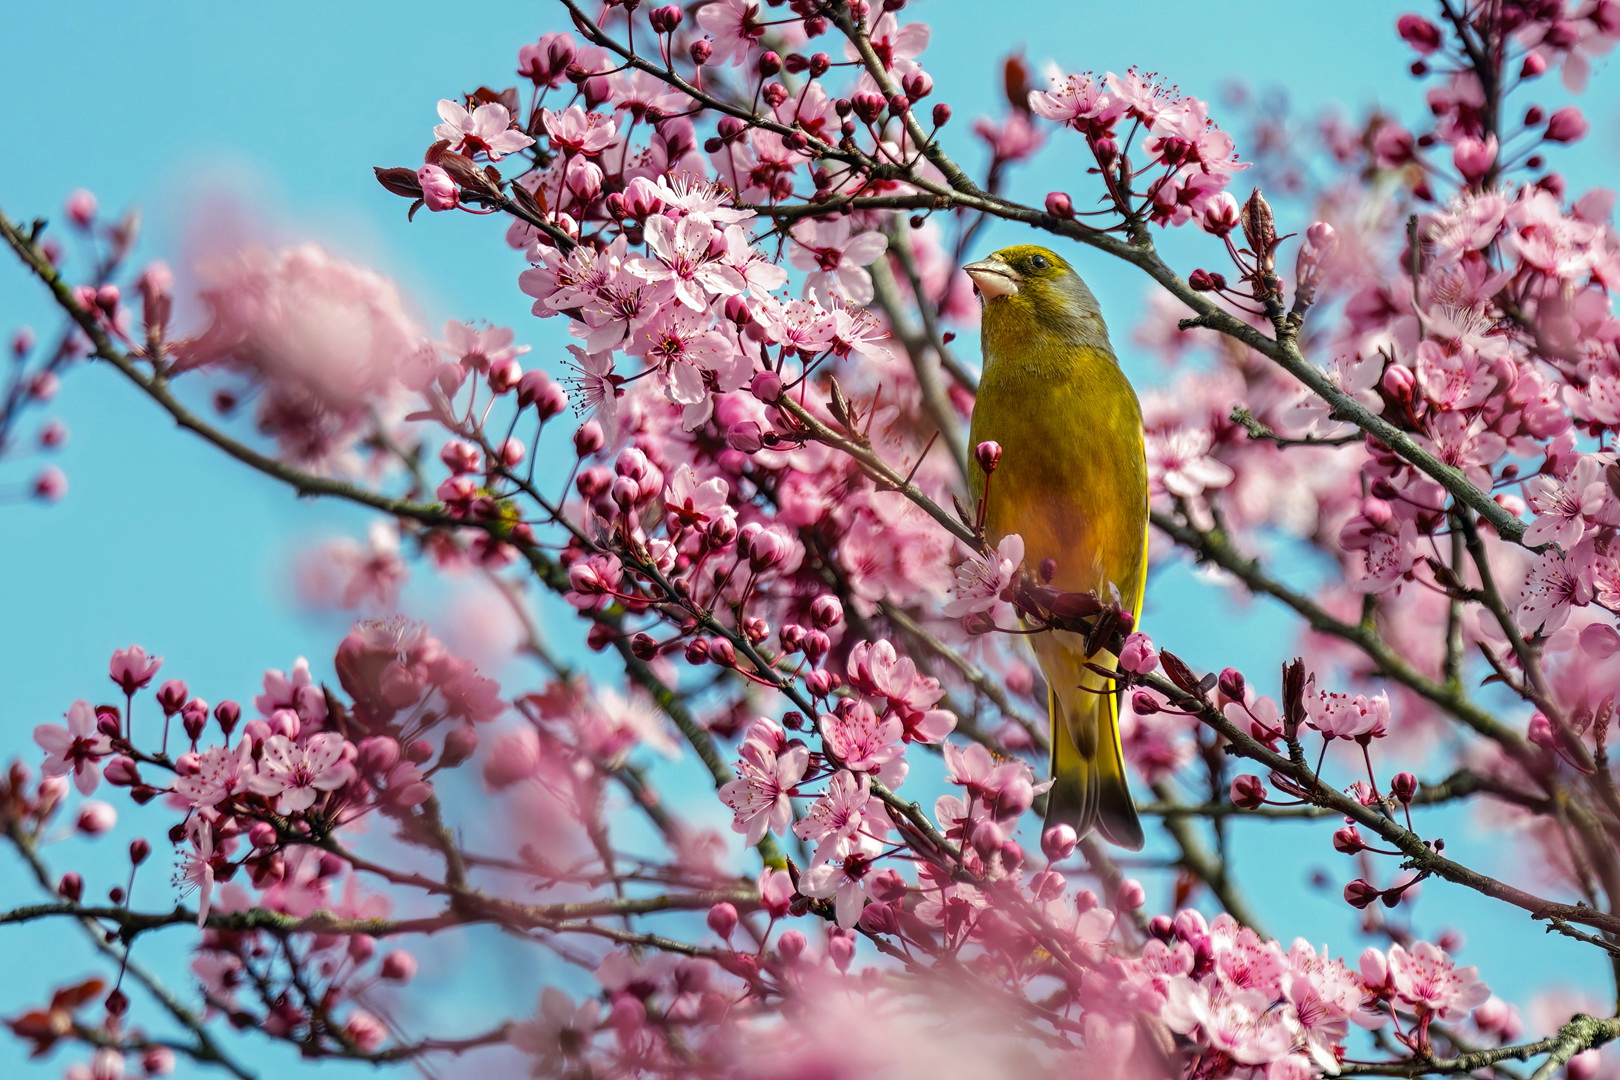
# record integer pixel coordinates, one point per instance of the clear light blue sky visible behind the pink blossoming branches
(288, 108)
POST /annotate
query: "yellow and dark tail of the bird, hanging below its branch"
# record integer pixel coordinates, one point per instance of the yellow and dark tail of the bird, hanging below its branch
(1089, 789)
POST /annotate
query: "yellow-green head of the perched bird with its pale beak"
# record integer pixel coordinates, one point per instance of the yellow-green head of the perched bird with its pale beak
(1034, 291)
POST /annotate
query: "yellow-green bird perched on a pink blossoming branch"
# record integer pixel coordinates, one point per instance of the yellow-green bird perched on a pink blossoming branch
(1073, 483)
